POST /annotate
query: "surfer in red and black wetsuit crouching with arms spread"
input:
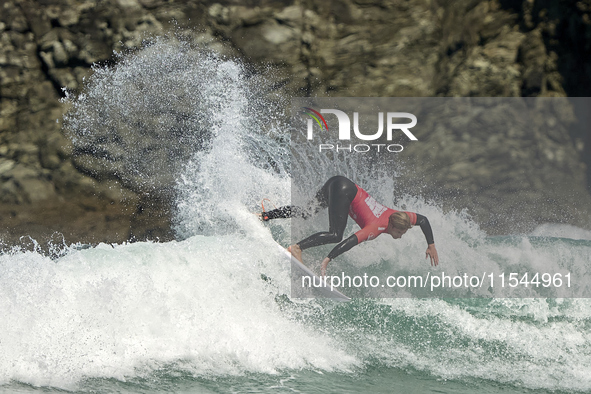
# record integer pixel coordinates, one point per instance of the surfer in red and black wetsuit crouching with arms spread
(344, 198)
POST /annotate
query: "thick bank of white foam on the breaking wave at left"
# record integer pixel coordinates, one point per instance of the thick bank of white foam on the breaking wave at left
(115, 312)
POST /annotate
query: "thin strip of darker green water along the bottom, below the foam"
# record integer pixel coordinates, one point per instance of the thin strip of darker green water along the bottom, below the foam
(384, 380)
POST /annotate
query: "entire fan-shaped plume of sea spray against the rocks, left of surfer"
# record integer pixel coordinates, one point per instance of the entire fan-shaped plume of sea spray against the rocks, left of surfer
(183, 123)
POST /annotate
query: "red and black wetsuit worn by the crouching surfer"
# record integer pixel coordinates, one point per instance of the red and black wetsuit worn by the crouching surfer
(344, 198)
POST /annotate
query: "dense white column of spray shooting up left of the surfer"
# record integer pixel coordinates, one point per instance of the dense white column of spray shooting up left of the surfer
(234, 174)
